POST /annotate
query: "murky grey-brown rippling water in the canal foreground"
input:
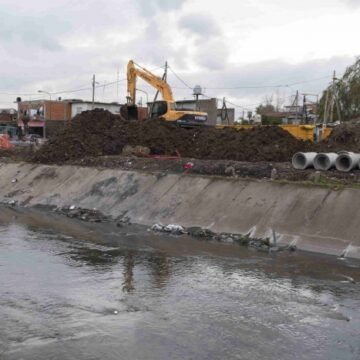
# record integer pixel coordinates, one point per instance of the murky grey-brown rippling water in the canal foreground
(79, 291)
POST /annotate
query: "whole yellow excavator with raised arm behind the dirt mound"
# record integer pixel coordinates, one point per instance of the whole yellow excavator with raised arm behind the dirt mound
(164, 109)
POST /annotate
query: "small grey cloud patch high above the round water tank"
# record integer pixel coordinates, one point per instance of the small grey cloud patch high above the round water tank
(200, 24)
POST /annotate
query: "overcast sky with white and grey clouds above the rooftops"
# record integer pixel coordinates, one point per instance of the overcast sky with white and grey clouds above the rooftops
(231, 48)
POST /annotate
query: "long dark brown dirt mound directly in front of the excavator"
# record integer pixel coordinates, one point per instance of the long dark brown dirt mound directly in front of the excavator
(98, 133)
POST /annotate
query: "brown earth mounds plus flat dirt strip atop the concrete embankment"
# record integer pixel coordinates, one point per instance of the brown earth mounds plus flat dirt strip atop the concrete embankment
(97, 138)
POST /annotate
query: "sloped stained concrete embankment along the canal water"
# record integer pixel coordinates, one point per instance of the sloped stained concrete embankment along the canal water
(313, 219)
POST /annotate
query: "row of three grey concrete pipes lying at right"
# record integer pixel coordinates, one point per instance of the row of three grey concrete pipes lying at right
(344, 161)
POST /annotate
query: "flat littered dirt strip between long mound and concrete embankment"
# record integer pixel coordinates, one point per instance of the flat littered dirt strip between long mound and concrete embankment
(224, 168)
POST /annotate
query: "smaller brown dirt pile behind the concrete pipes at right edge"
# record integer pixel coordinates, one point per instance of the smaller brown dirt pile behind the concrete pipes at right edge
(344, 137)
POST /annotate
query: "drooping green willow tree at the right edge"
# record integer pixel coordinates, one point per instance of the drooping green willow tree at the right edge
(343, 97)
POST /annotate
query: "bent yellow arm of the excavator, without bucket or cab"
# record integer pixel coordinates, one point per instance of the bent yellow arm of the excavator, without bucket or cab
(133, 72)
